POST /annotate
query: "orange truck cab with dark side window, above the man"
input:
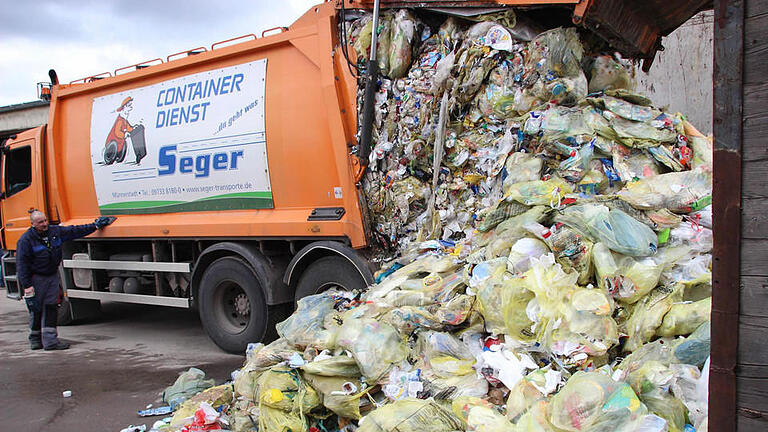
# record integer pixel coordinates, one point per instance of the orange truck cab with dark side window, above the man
(22, 183)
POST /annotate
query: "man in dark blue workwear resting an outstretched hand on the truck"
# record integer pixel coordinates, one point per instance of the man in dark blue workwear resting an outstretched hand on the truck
(37, 262)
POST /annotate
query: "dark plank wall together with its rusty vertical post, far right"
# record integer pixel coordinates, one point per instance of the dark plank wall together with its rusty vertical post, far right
(739, 370)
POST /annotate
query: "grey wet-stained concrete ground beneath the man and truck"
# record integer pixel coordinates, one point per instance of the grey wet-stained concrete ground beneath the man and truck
(116, 366)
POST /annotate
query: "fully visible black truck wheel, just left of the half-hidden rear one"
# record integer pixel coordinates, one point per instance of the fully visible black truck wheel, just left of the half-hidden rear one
(233, 309)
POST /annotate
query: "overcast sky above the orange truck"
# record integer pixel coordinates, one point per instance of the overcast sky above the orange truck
(80, 38)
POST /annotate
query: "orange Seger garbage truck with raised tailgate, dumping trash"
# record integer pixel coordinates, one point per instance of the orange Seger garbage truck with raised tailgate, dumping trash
(234, 171)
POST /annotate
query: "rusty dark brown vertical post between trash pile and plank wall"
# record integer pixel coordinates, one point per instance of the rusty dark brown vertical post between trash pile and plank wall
(727, 127)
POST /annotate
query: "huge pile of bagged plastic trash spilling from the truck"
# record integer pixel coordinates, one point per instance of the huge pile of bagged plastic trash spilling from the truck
(551, 234)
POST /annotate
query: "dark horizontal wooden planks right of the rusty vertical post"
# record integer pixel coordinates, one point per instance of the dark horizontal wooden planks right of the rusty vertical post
(752, 364)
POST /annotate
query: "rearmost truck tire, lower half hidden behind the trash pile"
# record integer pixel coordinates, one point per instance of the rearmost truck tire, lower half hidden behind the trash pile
(329, 272)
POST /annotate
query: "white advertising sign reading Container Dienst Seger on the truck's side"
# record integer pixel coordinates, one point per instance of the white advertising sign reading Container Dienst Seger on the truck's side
(194, 143)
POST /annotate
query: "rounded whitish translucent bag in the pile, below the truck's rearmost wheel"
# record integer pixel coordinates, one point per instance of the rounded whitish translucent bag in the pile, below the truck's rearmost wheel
(375, 345)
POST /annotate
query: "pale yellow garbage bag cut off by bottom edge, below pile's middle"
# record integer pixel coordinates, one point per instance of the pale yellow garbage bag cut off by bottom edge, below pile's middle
(411, 415)
